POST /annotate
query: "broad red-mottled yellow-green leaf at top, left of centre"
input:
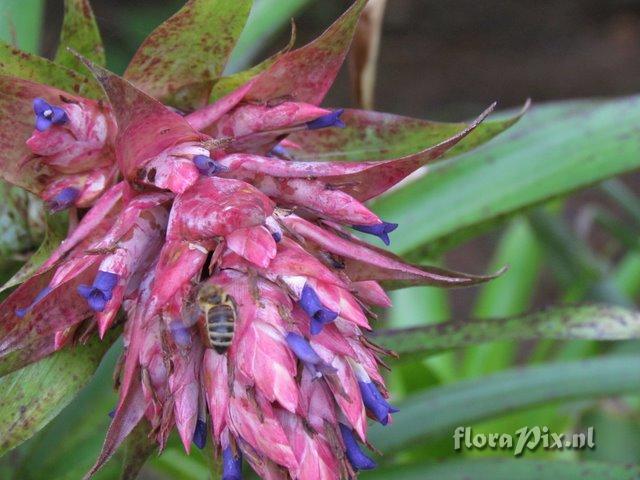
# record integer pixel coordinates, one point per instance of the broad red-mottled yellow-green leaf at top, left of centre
(190, 48)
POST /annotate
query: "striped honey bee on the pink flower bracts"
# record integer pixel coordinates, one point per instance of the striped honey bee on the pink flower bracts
(217, 317)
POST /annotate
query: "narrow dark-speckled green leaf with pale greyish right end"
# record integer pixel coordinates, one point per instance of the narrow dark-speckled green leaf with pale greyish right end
(591, 322)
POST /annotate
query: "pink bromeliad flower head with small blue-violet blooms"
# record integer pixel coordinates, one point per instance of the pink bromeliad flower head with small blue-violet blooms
(245, 296)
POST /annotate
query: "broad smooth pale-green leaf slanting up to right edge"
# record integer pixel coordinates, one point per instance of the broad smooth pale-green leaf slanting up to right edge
(556, 149)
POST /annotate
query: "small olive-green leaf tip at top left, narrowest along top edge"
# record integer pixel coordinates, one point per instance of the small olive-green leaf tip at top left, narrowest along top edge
(80, 33)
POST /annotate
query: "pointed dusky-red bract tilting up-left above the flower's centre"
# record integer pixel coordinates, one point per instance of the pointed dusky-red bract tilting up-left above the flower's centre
(145, 126)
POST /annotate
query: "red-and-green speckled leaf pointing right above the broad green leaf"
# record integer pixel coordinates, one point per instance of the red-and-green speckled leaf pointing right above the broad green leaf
(380, 136)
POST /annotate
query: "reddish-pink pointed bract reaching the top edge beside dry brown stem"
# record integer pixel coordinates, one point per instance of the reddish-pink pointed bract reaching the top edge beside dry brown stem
(307, 73)
